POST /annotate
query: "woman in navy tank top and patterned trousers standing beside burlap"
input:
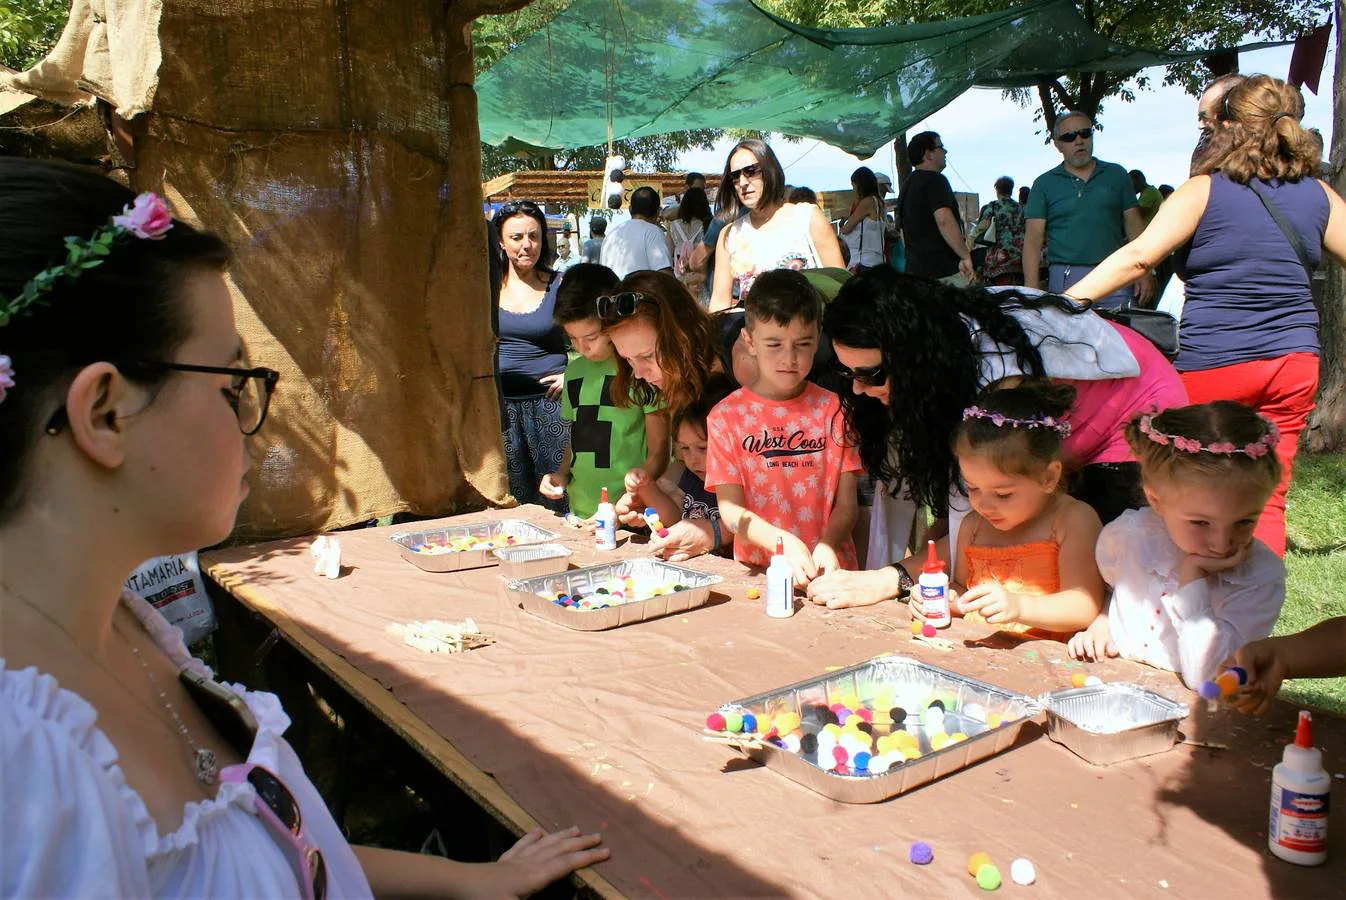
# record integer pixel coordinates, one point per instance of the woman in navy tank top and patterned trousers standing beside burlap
(532, 352)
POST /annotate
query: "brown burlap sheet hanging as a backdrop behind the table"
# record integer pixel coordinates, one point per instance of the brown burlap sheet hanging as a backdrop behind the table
(336, 147)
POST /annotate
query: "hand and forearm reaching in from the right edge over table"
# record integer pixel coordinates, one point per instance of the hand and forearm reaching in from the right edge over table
(1314, 653)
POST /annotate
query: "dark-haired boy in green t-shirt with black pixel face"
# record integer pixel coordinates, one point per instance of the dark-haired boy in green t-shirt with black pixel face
(606, 442)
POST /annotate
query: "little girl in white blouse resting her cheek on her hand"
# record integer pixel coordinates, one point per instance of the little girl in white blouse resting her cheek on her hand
(1191, 582)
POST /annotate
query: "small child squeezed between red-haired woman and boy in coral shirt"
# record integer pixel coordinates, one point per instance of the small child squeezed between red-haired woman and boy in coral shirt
(682, 496)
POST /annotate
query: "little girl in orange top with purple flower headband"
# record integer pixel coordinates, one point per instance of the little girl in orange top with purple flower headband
(1026, 551)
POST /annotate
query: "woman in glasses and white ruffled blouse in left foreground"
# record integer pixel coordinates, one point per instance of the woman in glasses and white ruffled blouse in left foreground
(126, 770)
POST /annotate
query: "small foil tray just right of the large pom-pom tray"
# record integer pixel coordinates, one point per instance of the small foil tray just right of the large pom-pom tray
(1112, 723)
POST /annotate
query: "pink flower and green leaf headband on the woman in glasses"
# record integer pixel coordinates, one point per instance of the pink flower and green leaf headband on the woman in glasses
(147, 219)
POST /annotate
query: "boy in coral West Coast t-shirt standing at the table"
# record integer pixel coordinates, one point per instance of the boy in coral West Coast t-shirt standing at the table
(777, 458)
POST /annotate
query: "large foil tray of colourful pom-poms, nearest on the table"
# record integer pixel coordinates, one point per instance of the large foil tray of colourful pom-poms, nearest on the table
(913, 685)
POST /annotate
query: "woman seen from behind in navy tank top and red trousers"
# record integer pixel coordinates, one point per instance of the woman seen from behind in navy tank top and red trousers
(1248, 231)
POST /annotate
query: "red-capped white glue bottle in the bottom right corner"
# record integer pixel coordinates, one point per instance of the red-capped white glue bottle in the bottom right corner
(1300, 793)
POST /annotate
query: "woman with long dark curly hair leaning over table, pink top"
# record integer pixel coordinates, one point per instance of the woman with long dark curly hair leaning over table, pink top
(917, 353)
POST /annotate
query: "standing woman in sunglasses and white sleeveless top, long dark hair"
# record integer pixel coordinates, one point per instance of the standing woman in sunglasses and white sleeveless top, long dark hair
(764, 231)
